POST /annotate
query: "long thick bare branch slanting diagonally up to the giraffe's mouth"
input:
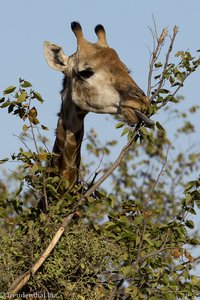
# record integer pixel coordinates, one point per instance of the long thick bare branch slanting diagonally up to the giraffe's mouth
(23, 279)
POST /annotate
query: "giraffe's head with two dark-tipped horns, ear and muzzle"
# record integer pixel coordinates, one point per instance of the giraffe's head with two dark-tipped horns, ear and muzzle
(97, 79)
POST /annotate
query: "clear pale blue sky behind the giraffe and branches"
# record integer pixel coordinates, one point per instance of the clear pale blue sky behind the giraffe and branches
(24, 25)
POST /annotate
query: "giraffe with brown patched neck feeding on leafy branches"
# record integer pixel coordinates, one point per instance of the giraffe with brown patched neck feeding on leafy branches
(95, 80)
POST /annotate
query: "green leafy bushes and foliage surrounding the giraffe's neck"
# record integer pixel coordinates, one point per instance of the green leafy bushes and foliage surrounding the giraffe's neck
(134, 243)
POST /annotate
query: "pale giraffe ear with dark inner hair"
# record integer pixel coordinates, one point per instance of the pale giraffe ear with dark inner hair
(55, 56)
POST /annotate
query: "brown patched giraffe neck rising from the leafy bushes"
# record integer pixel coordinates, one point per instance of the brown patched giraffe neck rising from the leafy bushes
(69, 136)
